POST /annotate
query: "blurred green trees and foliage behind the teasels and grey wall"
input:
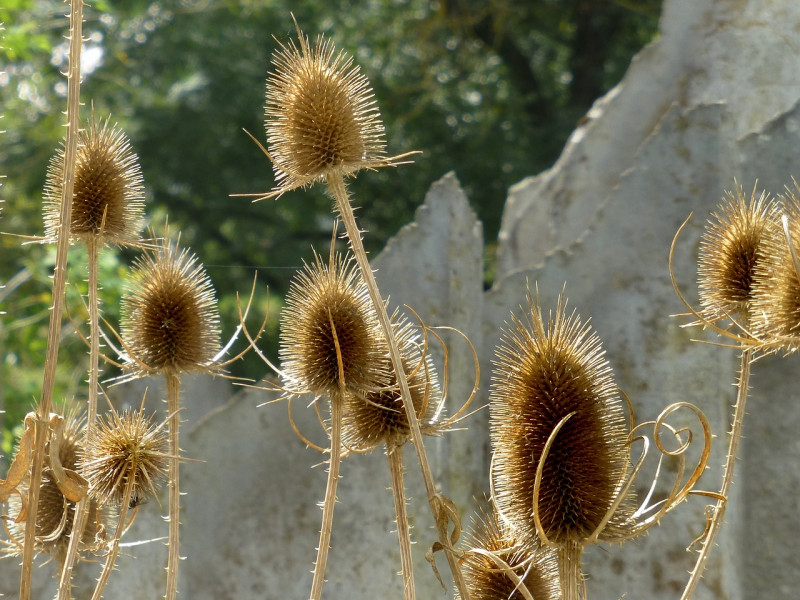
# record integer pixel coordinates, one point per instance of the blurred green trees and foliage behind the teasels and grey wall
(490, 89)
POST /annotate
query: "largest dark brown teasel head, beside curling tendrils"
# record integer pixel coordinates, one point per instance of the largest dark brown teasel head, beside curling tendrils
(542, 374)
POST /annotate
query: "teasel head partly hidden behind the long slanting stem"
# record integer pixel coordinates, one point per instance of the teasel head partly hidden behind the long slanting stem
(380, 416)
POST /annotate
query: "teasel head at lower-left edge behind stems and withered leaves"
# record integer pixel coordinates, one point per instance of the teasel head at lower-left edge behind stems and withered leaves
(55, 514)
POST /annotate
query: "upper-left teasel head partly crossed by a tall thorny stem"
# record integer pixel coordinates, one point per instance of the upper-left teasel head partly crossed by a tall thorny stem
(108, 195)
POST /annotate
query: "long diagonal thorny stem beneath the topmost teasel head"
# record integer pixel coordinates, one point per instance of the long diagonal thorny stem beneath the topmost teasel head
(335, 182)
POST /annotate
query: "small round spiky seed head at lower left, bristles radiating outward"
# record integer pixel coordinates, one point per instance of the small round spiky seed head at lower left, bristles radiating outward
(126, 448)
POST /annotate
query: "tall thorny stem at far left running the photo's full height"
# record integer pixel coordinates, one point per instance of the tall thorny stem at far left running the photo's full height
(59, 283)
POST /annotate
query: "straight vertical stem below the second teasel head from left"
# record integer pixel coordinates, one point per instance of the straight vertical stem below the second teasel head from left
(173, 406)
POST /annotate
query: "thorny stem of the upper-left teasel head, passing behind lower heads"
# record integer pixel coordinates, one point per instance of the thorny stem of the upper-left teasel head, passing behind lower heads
(82, 510)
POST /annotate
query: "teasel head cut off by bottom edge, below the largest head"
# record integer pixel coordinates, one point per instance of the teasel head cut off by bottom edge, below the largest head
(485, 578)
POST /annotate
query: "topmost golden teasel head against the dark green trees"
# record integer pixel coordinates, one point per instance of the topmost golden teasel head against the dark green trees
(320, 116)
